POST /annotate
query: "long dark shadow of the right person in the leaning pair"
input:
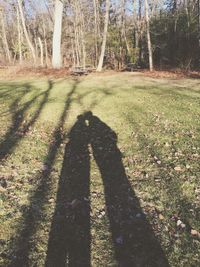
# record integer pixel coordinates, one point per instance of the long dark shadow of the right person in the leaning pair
(133, 238)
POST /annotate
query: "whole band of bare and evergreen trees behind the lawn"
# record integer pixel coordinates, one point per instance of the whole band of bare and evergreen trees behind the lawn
(113, 33)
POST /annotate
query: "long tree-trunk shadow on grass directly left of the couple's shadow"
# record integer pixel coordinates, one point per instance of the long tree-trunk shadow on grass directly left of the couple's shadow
(26, 242)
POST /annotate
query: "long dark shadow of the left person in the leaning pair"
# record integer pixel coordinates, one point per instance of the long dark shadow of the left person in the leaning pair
(69, 239)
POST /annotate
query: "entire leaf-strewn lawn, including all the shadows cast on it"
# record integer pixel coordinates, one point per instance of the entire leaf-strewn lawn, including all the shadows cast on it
(115, 187)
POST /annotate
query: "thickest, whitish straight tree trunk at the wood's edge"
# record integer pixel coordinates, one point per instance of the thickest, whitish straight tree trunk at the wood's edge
(57, 33)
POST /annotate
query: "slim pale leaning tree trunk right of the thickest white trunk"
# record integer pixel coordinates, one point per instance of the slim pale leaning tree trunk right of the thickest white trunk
(103, 47)
